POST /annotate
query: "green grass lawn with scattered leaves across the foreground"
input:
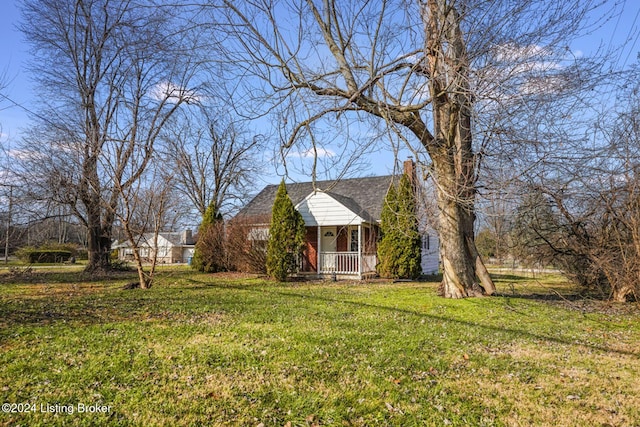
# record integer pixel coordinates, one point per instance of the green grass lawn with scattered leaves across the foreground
(205, 350)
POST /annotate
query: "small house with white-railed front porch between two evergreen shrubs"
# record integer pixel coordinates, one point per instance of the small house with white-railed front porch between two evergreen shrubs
(342, 221)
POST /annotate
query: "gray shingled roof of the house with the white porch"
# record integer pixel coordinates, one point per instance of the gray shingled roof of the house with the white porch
(364, 196)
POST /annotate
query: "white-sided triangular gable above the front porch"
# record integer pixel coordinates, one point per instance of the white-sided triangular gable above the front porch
(322, 209)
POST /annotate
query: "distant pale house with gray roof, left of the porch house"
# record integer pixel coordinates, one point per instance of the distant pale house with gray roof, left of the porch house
(171, 248)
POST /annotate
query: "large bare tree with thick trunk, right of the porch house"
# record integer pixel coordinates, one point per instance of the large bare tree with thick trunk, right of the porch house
(432, 71)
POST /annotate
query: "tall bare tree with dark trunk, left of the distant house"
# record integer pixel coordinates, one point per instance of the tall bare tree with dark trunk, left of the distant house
(111, 72)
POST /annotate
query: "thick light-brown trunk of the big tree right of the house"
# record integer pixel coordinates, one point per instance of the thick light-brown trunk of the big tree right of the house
(451, 151)
